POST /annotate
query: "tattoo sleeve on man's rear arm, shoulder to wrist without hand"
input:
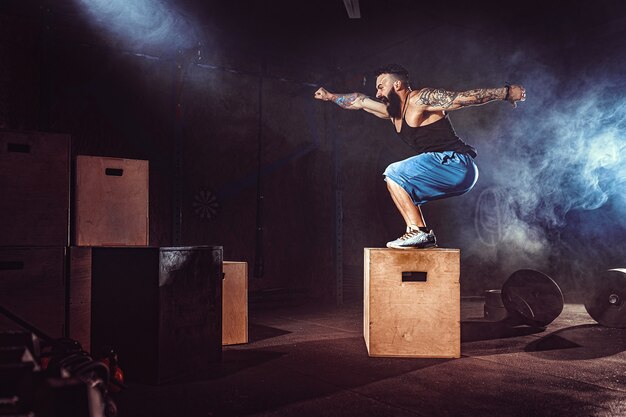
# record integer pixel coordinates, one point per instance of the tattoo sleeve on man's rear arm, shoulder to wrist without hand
(450, 99)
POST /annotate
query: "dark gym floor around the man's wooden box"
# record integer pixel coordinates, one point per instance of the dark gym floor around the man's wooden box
(312, 361)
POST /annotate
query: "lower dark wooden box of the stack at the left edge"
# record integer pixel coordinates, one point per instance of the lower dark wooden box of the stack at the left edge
(32, 286)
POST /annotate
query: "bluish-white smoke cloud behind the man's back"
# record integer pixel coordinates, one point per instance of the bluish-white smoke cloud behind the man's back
(561, 151)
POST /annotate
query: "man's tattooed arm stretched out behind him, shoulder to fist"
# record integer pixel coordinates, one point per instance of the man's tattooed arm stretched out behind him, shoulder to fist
(433, 99)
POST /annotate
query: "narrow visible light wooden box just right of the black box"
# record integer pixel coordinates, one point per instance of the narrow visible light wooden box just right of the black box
(235, 303)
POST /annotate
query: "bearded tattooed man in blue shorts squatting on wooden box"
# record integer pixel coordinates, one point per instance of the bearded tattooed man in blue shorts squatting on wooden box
(443, 165)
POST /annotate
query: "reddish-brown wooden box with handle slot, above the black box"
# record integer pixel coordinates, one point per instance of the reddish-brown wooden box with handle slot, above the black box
(111, 202)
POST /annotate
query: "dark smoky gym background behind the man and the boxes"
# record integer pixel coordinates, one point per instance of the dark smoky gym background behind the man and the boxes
(213, 93)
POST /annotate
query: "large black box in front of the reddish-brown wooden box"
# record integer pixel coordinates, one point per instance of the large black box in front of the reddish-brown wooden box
(159, 308)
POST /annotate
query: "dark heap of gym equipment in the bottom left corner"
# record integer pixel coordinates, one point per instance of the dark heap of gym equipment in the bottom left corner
(53, 378)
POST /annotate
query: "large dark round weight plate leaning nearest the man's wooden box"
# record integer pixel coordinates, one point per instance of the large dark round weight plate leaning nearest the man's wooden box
(532, 297)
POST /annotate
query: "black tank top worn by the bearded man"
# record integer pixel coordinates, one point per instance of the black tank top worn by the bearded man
(435, 137)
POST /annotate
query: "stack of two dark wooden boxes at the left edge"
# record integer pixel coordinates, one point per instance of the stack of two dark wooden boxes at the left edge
(34, 229)
